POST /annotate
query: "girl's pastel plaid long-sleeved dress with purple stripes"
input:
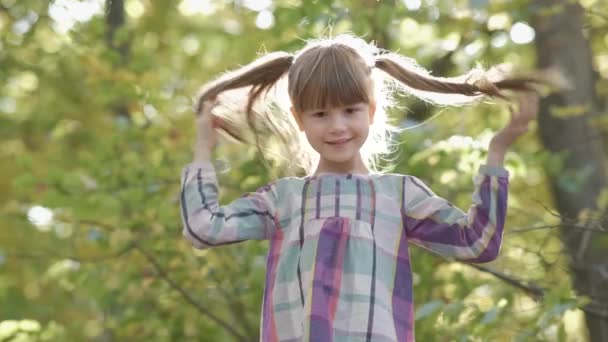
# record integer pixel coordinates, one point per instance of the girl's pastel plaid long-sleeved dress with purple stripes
(338, 267)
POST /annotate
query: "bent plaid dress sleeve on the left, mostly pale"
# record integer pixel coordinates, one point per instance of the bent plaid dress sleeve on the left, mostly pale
(207, 224)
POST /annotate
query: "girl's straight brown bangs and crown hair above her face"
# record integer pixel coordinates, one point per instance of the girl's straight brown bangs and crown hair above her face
(329, 77)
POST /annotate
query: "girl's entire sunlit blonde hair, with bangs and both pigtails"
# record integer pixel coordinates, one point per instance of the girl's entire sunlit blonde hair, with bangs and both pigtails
(327, 73)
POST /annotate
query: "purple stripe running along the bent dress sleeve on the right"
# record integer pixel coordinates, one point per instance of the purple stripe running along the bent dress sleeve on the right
(432, 230)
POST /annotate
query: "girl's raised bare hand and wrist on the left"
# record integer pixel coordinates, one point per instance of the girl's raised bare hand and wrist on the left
(206, 136)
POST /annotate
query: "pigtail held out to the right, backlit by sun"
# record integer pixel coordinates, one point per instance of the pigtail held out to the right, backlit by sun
(472, 85)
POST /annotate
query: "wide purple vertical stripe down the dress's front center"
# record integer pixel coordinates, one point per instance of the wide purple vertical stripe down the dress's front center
(330, 251)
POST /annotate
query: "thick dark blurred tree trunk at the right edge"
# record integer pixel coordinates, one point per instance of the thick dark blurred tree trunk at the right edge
(561, 44)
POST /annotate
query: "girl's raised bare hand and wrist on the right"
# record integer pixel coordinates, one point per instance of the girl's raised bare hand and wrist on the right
(520, 118)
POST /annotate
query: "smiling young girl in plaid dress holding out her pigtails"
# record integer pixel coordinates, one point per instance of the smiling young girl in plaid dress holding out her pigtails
(338, 268)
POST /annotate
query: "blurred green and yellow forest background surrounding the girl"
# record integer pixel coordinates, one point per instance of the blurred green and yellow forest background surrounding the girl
(96, 124)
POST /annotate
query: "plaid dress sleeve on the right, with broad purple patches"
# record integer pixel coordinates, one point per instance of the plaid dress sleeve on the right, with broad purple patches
(435, 224)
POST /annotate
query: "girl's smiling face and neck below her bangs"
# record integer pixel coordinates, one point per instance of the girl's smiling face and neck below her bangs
(337, 134)
